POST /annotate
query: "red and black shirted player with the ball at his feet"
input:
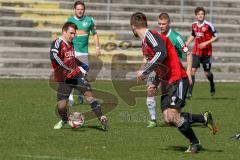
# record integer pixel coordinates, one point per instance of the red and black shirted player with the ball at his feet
(69, 74)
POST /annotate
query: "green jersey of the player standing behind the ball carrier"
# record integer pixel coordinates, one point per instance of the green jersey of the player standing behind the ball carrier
(85, 25)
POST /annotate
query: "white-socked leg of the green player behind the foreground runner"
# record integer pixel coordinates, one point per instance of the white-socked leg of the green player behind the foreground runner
(151, 100)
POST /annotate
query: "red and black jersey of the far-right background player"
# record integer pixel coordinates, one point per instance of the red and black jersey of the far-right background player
(202, 33)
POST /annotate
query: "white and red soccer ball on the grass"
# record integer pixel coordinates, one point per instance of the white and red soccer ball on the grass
(76, 119)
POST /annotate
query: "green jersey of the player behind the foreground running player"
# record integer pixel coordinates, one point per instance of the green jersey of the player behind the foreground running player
(179, 43)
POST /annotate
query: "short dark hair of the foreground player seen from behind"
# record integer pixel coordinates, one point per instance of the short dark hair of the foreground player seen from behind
(138, 20)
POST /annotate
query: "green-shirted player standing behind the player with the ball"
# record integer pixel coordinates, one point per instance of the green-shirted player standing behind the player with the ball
(85, 25)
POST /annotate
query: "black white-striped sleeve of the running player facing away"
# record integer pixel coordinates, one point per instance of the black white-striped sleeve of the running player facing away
(159, 47)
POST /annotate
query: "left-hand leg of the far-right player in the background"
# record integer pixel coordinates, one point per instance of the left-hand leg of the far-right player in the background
(195, 66)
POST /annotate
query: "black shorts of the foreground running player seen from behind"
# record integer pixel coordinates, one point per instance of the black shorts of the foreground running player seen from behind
(174, 95)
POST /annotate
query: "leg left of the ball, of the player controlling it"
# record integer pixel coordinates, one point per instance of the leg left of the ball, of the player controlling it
(62, 97)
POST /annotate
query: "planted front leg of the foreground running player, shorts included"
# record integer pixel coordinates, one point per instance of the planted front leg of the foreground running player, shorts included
(171, 105)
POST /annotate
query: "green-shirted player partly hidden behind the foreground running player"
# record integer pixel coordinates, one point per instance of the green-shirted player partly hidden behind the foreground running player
(182, 50)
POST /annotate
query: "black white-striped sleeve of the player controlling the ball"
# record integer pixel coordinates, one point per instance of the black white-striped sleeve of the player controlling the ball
(54, 54)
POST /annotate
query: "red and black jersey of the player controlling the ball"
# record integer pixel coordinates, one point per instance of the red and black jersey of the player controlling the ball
(62, 59)
